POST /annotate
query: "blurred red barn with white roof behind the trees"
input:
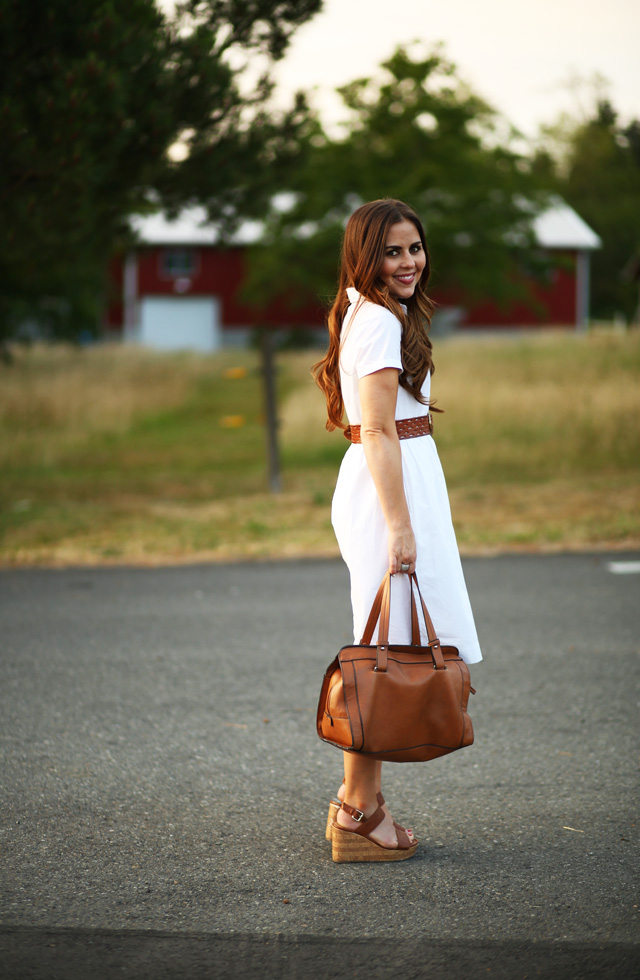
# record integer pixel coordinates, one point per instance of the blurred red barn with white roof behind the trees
(179, 289)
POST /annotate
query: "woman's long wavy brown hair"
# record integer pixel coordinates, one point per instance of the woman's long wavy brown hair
(363, 252)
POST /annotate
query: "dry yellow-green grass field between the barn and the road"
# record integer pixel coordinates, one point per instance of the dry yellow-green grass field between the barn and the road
(112, 454)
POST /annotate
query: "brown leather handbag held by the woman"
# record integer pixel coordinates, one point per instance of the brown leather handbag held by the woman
(396, 703)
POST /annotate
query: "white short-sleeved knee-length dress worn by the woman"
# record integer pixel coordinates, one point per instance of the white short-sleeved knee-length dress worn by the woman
(371, 337)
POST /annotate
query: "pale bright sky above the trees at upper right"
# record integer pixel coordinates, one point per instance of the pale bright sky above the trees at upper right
(517, 54)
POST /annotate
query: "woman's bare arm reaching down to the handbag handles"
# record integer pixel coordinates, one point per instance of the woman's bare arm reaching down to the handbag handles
(378, 395)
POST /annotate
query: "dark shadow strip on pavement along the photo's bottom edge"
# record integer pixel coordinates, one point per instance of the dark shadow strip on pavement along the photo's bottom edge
(78, 954)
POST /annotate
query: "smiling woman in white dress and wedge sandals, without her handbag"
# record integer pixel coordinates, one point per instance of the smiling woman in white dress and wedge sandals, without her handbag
(390, 507)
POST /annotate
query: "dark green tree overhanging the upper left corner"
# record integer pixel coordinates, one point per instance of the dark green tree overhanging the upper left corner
(93, 96)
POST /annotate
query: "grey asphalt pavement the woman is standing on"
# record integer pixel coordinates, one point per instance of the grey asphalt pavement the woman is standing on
(163, 792)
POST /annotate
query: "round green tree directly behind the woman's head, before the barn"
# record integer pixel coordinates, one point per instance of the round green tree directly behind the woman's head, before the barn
(423, 136)
